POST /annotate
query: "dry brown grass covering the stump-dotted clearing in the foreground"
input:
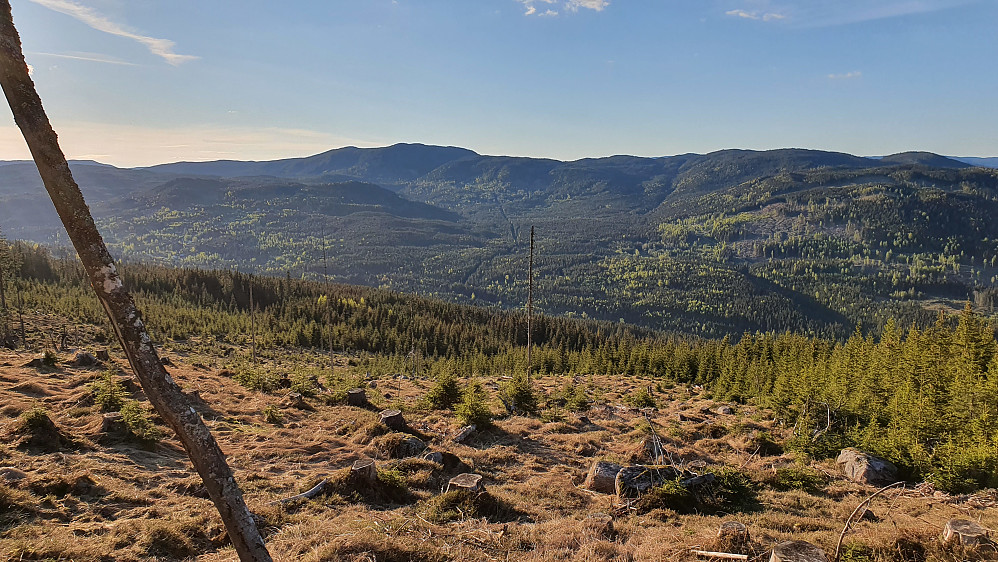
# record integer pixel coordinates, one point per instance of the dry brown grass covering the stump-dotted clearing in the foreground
(97, 500)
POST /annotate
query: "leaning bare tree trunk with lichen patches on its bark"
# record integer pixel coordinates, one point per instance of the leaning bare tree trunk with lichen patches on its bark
(164, 394)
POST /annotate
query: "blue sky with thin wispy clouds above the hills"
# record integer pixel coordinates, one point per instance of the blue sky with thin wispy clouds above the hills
(137, 82)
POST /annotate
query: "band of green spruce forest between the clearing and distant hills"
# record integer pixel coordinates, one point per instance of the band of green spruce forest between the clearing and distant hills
(923, 395)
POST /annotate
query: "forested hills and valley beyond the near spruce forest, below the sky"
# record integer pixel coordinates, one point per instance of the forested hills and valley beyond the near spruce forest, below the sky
(713, 244)
